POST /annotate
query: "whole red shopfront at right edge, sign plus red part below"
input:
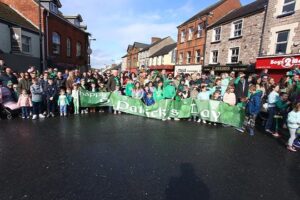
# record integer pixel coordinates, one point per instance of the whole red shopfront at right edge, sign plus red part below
(278, 66)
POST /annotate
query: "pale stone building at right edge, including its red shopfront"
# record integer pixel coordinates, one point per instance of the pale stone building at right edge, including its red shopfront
(280, 50)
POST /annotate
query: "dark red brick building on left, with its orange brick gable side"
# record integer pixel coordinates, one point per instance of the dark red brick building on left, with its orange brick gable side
(65, 40)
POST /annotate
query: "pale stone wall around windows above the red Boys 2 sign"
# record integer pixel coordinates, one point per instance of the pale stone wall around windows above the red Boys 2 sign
(275, 24)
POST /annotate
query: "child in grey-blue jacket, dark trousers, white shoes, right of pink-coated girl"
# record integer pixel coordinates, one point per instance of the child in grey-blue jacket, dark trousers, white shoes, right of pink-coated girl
(37, 99)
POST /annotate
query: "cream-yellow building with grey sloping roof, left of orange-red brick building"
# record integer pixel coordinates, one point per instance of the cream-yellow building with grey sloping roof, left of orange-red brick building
(164, 59)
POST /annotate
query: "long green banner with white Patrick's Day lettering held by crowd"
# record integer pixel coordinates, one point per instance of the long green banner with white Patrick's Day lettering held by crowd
(213, 111)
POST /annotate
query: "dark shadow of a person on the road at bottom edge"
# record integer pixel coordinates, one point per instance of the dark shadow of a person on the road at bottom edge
(187, 186)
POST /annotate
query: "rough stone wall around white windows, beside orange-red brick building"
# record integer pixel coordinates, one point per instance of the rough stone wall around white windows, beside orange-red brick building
(249, 42)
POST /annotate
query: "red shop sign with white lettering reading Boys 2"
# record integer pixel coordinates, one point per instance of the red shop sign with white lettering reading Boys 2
(286, 62)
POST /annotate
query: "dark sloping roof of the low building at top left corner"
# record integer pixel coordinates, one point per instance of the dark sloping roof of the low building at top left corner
(8, 14)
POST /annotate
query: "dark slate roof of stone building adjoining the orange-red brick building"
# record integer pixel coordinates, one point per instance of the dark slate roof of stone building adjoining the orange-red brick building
(249, 9)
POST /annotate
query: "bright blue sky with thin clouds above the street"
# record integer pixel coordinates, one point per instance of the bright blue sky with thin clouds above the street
(117, 23)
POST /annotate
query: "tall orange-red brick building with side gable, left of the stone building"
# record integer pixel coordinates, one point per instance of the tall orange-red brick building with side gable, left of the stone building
(192, 34)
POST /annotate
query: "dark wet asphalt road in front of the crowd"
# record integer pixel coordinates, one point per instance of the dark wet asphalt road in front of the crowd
(103, 156)
